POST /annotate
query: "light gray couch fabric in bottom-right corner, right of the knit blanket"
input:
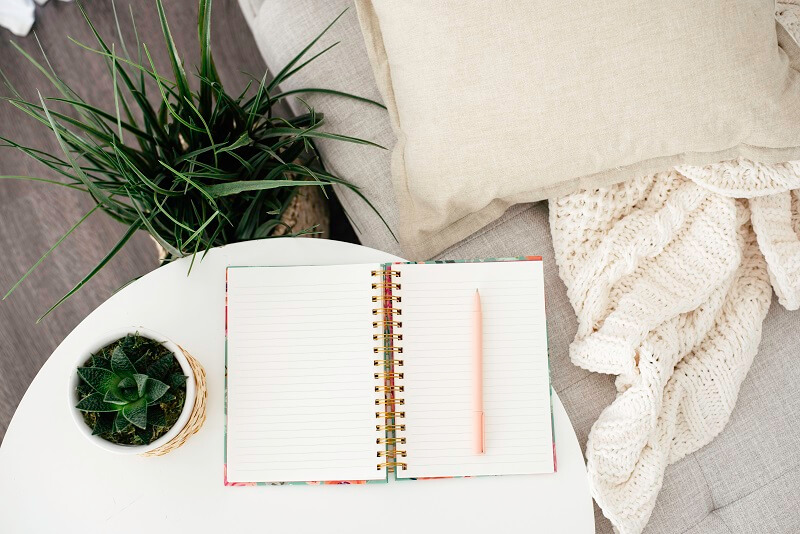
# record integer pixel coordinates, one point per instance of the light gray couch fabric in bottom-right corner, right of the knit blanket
(748, 477)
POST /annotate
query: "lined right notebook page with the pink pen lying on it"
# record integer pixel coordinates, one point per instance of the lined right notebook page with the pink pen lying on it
(437, 304)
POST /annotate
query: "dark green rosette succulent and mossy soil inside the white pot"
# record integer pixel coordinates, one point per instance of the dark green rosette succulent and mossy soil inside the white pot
(131, 392)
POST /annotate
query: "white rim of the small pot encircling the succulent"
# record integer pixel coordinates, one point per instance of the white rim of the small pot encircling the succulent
(93, 348)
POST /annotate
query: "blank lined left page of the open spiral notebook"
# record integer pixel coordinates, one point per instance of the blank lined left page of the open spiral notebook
(301, 399)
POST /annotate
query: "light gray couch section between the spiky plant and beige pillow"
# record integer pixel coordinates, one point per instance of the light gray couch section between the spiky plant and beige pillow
(291, 26)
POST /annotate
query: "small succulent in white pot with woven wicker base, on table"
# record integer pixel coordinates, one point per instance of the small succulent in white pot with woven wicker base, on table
(136, 392)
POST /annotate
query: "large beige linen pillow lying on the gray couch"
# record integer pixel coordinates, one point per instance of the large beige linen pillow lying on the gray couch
(499, 102)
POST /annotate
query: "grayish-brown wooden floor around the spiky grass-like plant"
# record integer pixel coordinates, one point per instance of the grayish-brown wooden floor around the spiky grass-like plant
(33, 216)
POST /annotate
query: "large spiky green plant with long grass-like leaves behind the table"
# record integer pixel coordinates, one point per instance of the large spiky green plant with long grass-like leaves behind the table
(199, 169)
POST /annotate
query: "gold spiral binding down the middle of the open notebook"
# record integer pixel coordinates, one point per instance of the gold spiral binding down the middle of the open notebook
(387, 326)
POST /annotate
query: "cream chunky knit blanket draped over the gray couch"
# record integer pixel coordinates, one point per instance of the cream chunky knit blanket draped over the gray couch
(670, 279)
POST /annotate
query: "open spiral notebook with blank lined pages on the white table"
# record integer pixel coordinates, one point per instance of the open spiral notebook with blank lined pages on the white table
(352, 372)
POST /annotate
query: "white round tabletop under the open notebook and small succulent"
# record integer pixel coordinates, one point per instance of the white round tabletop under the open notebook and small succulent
(52, 479)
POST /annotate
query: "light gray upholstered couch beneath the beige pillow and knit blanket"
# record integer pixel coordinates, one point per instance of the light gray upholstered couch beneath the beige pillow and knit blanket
(746, 480)
